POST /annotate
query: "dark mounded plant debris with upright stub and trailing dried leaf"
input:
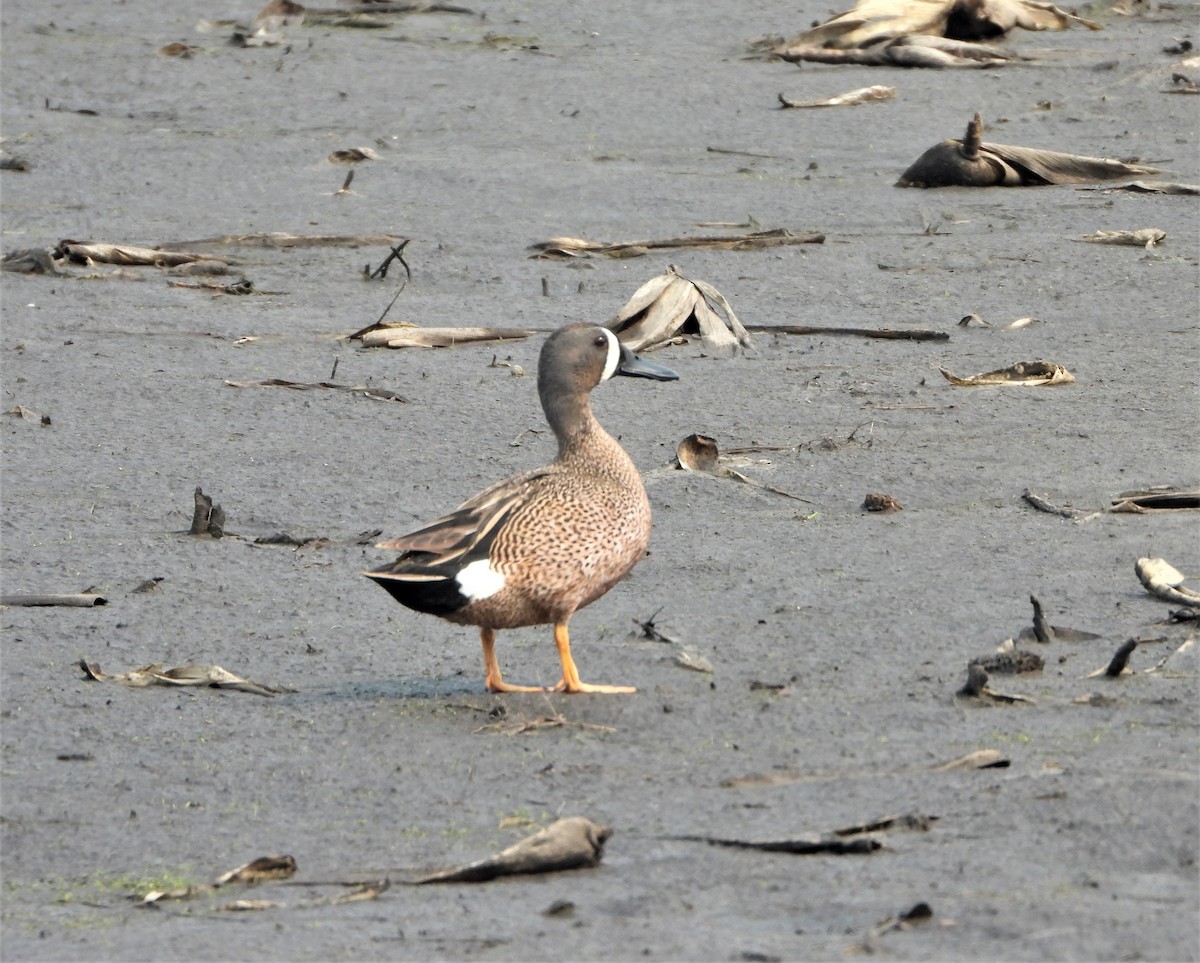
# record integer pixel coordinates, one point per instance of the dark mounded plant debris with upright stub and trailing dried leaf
(971, 163)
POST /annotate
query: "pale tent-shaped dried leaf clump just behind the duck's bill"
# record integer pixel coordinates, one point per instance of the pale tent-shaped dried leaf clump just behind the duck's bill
(670, 308)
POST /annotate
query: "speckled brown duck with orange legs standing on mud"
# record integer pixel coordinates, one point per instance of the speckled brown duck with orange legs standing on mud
(538, 547)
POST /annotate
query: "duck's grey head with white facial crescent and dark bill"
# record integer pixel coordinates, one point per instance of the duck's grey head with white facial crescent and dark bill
(577, 358)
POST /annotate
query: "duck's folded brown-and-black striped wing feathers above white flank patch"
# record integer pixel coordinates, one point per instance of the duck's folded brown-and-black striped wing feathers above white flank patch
(470, 528)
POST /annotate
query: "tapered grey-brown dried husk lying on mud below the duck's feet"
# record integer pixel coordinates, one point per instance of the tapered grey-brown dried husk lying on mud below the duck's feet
(572, 844)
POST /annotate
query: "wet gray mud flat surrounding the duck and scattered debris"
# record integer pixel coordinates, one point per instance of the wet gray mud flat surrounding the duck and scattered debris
(610, 122)
